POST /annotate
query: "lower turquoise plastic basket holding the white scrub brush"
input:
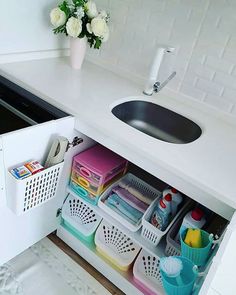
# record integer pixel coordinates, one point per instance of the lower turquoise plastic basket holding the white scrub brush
(188, 275)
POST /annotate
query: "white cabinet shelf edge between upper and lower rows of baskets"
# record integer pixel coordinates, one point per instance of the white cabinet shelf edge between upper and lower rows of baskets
(136, 236)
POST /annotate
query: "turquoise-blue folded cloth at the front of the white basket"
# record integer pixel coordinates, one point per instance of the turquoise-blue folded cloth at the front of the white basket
(115, 201)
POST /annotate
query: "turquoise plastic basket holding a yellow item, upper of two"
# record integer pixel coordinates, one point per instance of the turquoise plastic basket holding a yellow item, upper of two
(198, 256)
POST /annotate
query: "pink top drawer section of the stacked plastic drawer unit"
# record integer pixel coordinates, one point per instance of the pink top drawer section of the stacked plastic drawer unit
(98, 165)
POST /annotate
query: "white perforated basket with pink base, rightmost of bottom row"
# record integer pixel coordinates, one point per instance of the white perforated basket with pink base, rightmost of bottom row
(147, 273)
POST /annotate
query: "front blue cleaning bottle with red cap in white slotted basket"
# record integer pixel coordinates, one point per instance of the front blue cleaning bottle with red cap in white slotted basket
(161, 215)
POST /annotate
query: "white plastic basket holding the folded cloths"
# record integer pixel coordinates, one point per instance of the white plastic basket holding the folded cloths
(139, 185)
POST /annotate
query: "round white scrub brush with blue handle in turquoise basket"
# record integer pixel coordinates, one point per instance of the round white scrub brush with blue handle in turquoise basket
(172, 267)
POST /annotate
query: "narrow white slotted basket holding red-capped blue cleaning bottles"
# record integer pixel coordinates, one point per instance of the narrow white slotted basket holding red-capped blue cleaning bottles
(149, 231)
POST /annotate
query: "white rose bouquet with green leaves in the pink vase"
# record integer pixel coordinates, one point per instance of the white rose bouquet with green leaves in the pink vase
(79, 19)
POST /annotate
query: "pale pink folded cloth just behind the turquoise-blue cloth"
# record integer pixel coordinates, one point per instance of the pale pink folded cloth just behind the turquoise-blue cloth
(130, 199)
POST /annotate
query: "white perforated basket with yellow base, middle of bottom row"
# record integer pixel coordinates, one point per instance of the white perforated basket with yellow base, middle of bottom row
(115, 246)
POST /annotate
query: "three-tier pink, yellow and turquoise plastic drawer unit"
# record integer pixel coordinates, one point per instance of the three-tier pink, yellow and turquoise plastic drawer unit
(93, 170)
